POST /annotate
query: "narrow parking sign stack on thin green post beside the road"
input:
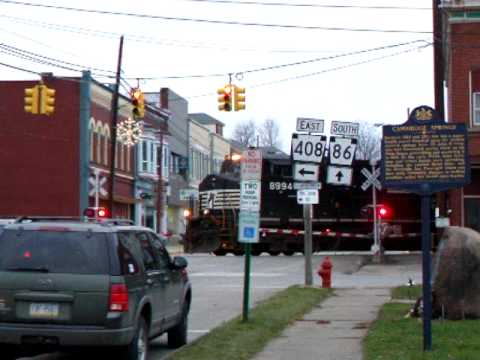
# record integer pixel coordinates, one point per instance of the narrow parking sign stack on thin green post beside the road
(249, 218)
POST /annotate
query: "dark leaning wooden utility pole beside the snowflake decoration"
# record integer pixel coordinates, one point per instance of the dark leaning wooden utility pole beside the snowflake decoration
(114, 111)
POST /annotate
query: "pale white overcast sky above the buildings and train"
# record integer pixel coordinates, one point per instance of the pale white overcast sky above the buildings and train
(314, 60)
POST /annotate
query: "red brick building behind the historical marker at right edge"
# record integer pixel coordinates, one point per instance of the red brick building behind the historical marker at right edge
(461, 54)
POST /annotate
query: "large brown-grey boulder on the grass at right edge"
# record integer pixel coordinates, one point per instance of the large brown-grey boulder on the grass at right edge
(456, 274)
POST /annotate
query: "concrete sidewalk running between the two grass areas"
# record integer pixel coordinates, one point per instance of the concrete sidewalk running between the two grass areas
(335, 329)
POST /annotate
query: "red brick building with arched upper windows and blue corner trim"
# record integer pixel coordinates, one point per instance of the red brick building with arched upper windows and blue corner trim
(47, 160)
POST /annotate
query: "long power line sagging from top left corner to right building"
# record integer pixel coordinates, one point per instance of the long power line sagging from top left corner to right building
(210, 21)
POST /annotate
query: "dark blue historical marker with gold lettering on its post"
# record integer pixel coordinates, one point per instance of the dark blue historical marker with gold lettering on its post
(425, 155)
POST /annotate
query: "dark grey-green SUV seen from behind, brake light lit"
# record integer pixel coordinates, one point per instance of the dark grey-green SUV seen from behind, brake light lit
(69, 283)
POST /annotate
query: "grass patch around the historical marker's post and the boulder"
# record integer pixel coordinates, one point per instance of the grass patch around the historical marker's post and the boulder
(394, 337)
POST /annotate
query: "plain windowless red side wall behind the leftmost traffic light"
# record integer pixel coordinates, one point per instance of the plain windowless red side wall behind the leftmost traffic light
(39, 155)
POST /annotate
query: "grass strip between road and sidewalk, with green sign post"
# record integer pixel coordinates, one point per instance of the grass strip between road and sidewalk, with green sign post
(240, 340)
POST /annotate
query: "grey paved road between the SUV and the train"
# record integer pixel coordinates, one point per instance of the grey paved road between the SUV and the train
(218, 286)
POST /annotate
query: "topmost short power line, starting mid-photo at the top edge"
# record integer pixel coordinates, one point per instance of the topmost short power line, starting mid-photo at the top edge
(307, 5)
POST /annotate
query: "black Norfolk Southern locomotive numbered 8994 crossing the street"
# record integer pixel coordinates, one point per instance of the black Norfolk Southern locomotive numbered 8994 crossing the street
(341, 221)
